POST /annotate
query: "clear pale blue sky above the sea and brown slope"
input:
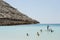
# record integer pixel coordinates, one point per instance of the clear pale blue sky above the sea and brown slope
(45, 11)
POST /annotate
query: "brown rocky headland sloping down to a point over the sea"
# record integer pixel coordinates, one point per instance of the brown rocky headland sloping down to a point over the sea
(11, 16)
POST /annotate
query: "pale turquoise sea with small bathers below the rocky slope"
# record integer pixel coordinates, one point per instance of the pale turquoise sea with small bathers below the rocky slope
(29, 32)
